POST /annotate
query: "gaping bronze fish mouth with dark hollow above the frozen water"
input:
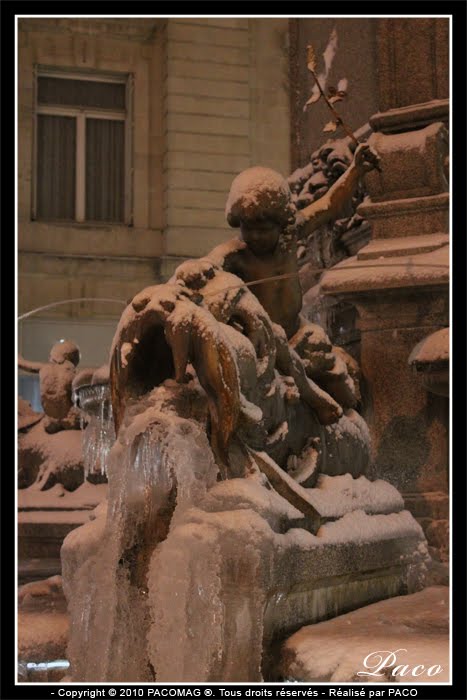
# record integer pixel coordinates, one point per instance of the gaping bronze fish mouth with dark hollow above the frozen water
(160, 333)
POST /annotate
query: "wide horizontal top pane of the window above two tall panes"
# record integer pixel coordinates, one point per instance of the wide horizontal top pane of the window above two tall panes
(81, 93)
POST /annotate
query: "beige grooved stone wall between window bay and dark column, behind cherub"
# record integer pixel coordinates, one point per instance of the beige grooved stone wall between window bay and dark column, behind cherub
(227, 108)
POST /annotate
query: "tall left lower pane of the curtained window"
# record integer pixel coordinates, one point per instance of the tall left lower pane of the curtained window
(56, 167)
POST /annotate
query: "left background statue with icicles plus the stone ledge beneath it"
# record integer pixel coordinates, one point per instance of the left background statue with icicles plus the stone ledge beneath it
(61, 461)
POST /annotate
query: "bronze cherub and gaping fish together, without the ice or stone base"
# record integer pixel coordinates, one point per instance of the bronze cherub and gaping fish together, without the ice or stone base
(205, 316)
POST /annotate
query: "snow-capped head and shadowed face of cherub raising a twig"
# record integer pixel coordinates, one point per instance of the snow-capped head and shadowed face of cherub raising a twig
(260, 204)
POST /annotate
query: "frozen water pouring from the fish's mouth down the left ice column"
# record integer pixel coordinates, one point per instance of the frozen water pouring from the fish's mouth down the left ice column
(158, 467)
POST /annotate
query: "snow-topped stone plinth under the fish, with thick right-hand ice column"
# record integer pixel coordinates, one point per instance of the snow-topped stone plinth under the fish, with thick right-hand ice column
(241, 588)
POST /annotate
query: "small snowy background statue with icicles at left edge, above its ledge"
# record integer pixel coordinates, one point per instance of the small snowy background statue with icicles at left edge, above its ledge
(61, 445)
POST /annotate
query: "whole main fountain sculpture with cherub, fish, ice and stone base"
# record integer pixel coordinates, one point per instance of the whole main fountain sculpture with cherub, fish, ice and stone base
(238, 506)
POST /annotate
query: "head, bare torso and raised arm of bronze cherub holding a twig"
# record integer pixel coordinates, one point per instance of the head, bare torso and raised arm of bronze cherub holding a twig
(260, 204)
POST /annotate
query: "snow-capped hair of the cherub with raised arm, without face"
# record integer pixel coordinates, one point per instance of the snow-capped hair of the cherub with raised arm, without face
(260, 193)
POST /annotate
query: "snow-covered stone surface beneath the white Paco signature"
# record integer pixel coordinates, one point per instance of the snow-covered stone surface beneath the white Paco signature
(400, 640)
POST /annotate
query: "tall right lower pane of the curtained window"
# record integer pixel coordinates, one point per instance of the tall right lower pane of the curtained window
(105, 180)
